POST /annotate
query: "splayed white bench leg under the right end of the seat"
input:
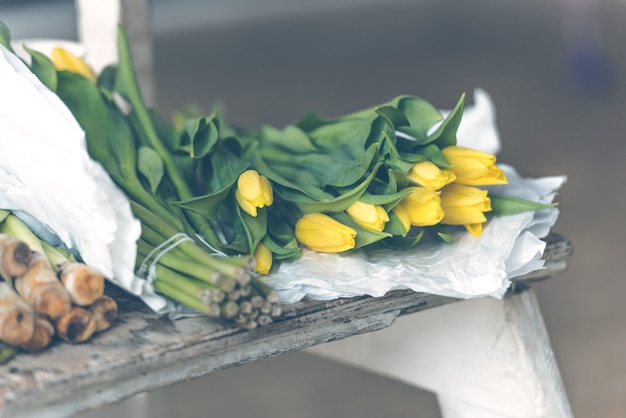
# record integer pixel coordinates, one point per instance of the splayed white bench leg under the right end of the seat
(481, 357)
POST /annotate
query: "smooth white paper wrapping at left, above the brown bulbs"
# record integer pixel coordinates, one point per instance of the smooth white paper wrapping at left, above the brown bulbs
(49, 181)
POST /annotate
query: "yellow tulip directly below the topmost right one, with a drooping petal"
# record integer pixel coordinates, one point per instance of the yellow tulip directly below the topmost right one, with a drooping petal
(465, 205)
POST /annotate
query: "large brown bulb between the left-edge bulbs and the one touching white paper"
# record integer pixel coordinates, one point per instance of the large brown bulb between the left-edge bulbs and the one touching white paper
(41, 289)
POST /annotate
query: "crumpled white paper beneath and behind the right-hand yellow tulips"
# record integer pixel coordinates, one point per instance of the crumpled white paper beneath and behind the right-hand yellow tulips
(469, 267)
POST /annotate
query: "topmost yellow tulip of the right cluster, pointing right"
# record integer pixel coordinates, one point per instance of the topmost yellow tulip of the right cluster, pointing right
(473, 167)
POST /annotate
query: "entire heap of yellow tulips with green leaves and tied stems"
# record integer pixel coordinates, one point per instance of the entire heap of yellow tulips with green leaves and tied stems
(243, 199)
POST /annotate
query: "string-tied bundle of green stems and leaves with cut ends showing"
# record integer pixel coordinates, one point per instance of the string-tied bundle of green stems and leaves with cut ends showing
(179, 249)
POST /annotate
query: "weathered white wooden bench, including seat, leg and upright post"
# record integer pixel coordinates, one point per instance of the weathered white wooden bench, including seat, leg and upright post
(482, 357)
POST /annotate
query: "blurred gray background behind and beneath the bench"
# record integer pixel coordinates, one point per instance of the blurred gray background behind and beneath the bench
(556, 72)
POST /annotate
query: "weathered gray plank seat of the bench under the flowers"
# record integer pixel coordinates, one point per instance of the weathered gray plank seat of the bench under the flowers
(144, 351)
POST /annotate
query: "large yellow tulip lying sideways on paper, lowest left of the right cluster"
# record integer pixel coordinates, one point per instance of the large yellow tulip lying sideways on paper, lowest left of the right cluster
(322, 233)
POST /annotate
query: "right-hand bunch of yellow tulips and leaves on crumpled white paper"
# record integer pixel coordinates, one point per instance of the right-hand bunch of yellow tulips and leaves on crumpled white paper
(383, 175)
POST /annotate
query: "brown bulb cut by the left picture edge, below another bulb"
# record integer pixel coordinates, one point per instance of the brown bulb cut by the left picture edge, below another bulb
(17, 318)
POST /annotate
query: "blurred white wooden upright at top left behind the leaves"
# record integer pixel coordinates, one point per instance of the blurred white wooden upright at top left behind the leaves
(97, 30)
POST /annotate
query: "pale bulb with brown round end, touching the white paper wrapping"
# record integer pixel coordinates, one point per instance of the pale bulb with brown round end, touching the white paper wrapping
(84, 284)
